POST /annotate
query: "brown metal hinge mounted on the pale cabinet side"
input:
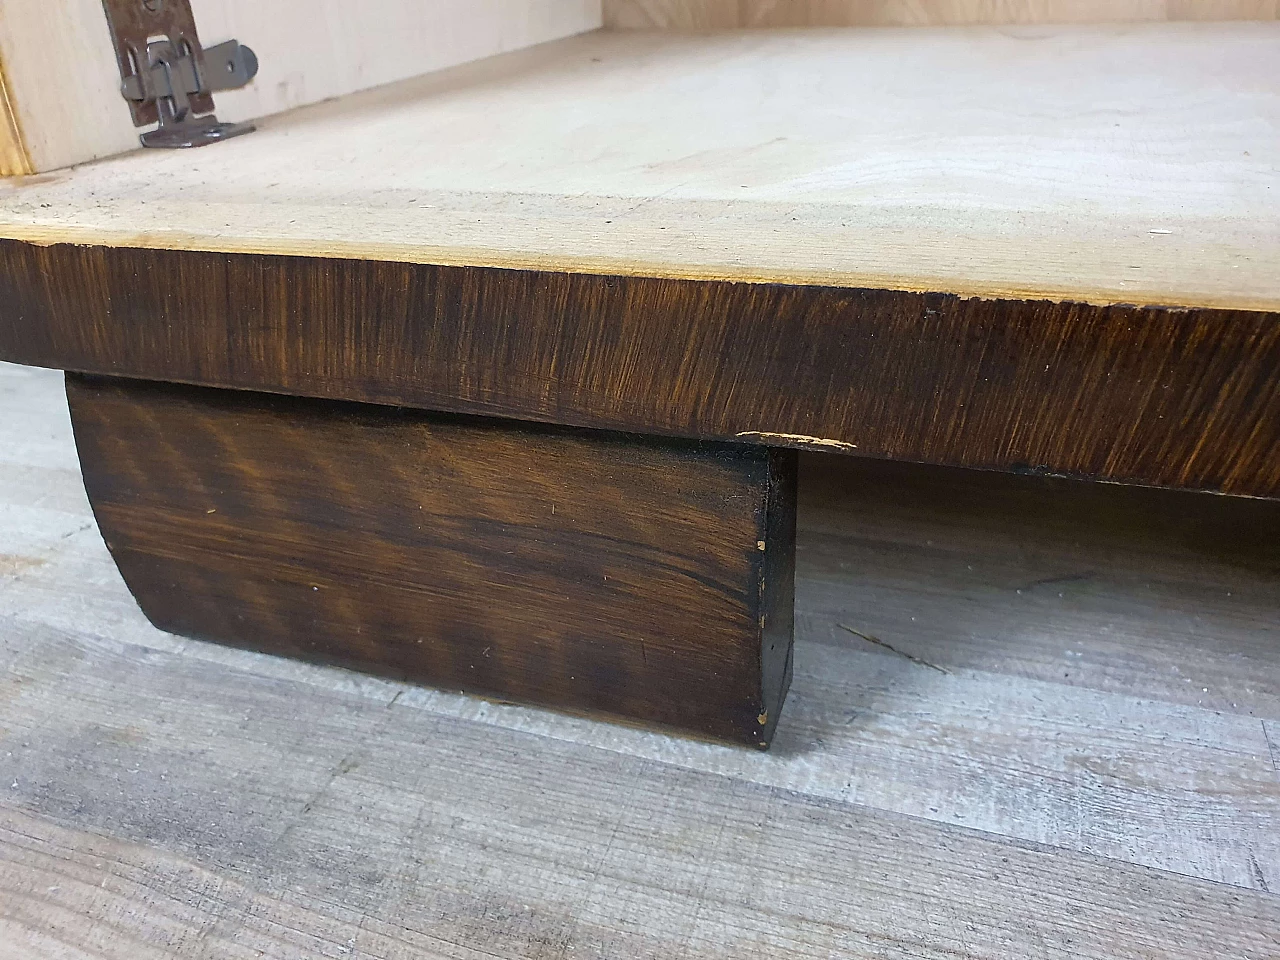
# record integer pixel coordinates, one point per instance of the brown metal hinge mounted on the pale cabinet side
(170, 79)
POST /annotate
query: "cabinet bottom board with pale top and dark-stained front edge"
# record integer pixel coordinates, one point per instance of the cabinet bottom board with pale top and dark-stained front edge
(1034, 249)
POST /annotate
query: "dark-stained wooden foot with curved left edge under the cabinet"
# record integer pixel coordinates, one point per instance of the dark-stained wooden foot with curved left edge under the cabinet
(592, 573)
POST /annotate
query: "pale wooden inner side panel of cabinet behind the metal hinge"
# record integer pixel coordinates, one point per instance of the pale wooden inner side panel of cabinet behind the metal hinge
(65, 85)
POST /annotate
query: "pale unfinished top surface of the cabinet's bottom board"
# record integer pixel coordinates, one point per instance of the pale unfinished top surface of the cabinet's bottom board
(1103, 166)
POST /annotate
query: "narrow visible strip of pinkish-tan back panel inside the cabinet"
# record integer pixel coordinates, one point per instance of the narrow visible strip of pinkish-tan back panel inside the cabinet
(730, 15)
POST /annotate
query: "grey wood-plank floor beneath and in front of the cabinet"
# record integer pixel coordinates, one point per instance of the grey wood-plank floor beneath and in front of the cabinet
(1031, 719)
